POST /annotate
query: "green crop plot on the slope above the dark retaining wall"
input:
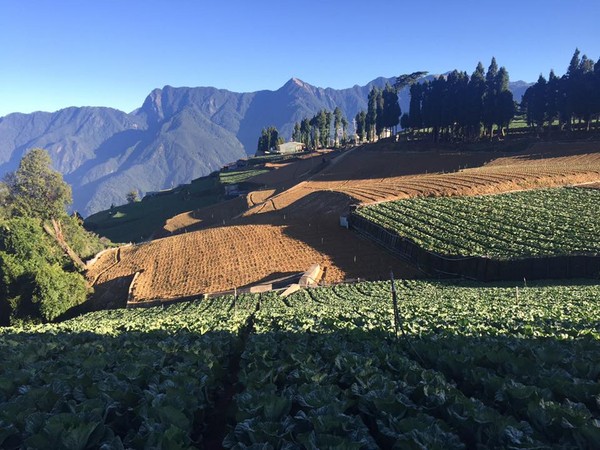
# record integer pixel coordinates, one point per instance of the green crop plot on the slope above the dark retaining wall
(539, 223)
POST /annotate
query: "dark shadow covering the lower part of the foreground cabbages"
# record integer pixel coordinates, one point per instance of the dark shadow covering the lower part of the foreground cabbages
(324, 385)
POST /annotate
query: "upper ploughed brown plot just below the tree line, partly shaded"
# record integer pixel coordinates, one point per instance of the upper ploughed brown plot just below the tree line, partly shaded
(368, 176)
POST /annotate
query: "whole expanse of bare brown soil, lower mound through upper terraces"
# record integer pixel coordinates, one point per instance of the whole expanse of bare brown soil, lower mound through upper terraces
(292, 225)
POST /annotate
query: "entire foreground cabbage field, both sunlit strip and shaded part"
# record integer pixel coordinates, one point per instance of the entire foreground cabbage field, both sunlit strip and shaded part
(473, 366)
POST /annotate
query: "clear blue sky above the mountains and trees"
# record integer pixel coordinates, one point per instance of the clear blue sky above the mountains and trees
(62, 53)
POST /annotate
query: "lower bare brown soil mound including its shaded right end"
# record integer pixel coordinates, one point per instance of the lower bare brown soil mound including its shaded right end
(222, 258)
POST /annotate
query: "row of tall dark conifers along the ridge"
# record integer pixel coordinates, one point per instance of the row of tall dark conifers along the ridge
(459, 107)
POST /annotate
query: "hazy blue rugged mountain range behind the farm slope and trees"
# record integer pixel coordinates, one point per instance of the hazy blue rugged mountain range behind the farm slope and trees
(176, 135)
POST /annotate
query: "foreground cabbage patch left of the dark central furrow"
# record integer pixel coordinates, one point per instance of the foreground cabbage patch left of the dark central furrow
(118, 379)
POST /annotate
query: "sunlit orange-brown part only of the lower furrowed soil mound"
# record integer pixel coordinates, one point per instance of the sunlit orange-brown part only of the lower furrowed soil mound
(213, 260)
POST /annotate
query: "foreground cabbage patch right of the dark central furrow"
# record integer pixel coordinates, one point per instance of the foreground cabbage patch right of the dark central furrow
(476, 366)
